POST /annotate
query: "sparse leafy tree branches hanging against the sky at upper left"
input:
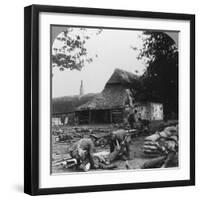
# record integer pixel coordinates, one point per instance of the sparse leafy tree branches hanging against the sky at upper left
(71, 53)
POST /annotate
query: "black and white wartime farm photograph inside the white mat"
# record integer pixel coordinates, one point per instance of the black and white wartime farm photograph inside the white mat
(114, 99)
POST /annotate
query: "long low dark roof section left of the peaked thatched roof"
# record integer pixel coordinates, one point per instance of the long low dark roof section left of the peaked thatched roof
(67, 104)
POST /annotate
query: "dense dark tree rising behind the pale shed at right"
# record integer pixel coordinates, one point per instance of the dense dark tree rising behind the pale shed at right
(160, 79)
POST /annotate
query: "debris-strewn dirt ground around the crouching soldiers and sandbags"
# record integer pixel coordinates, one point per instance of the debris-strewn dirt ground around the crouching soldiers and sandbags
(60, 150)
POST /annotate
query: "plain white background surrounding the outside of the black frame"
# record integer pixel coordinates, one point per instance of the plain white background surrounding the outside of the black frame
(11, 87)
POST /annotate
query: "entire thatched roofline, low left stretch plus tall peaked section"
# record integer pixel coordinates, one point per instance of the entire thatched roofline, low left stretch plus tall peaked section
(113, 95)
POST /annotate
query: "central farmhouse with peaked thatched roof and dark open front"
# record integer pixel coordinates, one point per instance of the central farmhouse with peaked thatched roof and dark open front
(113, 103)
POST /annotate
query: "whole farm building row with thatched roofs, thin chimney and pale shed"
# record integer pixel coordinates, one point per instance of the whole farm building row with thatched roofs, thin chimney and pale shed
(112, 105)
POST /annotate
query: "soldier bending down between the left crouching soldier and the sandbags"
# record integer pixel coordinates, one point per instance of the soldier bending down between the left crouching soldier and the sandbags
(120, 142)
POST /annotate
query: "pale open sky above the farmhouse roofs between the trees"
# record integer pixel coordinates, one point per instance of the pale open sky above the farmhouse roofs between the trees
(113, 48)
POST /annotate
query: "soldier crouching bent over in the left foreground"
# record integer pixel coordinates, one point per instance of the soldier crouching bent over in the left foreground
(82, 151)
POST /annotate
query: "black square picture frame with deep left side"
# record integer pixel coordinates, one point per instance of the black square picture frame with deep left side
(31, 98)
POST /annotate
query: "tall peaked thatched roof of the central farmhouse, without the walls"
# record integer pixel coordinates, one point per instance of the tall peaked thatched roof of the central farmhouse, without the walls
(114, 93)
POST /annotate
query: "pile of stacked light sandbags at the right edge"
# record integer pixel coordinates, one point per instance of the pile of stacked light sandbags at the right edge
(160, 142)
